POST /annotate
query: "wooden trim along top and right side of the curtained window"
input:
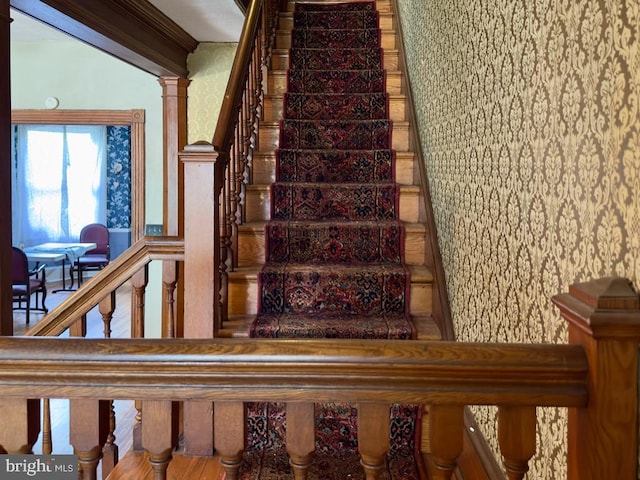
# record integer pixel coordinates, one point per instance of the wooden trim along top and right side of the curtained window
(134, 118)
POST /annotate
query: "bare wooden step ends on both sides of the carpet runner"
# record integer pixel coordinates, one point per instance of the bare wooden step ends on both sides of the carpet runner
(243, 288)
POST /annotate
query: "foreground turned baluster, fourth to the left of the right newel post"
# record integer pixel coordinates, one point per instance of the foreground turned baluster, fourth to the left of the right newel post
(300, 437)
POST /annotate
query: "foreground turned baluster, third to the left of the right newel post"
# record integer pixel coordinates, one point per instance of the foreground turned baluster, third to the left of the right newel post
(373, 437)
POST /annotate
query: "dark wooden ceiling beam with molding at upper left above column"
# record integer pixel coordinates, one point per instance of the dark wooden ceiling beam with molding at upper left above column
(136, 32)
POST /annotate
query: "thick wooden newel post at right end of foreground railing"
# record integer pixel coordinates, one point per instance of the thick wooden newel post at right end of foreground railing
(604, 317)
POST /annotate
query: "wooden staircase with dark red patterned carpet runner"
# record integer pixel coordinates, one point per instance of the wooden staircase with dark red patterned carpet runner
(270, 220)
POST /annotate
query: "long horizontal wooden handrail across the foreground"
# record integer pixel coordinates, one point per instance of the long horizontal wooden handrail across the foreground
(293, 370)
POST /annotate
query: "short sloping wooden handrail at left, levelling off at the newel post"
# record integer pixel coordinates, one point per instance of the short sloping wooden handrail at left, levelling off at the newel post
(108, 280)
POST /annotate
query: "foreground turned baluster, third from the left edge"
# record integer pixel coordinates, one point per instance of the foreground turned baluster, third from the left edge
(159, 434)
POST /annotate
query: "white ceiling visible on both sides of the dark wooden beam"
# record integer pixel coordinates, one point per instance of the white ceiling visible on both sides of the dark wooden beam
(205, 20)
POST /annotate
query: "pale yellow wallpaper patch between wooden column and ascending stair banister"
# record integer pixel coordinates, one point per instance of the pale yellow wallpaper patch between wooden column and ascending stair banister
(209, 69)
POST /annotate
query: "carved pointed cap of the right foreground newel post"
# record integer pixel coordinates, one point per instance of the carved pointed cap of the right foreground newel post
(606, 307)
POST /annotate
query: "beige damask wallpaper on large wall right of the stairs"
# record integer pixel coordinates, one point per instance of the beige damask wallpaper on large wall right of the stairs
(529, 121)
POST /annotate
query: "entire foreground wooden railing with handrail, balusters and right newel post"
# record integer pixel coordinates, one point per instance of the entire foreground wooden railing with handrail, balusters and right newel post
(596, 378)
